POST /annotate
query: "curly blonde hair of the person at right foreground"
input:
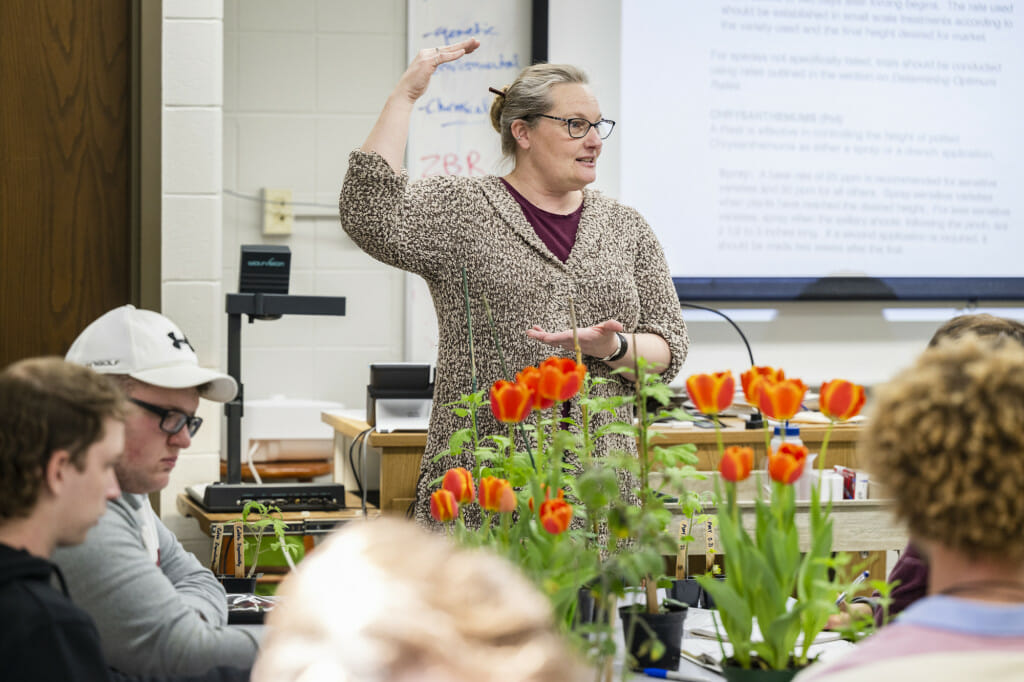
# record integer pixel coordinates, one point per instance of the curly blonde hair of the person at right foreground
(949, 435)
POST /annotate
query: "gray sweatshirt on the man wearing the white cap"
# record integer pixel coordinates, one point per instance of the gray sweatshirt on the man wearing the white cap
(165, 616)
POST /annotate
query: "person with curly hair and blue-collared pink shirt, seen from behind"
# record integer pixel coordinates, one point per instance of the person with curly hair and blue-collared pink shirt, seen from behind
(948, 434)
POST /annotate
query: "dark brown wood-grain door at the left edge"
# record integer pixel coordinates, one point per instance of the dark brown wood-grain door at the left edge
(66, 236)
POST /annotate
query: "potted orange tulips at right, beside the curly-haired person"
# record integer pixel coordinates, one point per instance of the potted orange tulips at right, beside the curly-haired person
(765, 568)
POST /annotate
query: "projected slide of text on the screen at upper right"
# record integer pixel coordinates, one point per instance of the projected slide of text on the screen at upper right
(827, 138)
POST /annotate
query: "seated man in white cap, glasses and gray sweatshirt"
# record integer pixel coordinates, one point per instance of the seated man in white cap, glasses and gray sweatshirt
(158, 610)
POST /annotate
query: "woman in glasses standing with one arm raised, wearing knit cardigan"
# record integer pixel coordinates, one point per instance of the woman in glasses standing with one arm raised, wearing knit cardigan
(530, 241)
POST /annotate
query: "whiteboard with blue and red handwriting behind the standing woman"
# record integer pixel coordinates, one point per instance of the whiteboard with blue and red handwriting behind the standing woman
(450, 133)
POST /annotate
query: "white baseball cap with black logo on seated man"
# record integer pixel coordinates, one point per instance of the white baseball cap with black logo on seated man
(148, 347)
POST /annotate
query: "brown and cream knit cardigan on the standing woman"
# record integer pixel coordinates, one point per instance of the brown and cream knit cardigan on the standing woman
(437, 227)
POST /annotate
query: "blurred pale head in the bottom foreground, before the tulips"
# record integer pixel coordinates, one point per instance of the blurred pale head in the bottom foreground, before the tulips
(385, 601)
